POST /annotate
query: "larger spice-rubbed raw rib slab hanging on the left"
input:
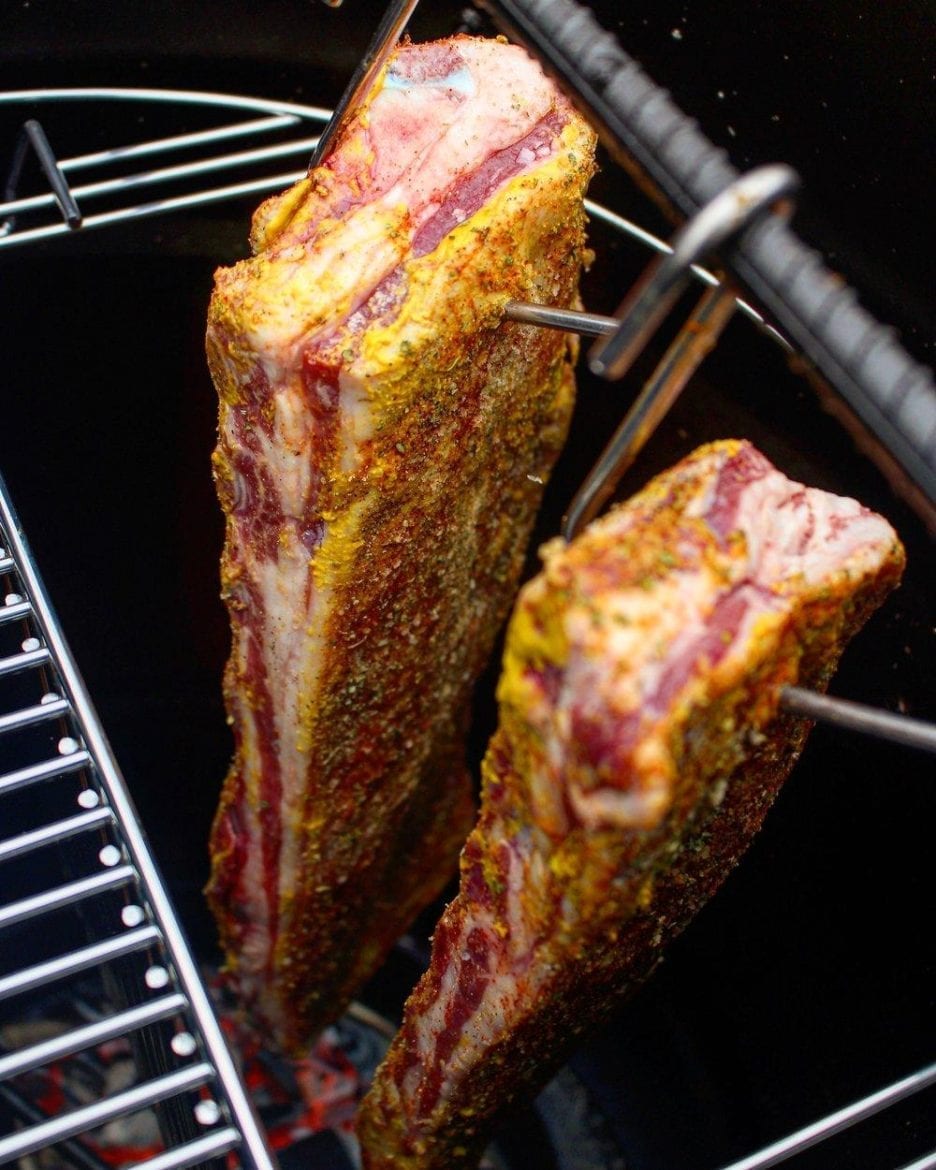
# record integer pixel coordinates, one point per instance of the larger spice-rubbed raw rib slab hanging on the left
(383, 445)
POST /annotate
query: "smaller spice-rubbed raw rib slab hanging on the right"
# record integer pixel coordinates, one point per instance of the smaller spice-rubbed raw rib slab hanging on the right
(639, 748)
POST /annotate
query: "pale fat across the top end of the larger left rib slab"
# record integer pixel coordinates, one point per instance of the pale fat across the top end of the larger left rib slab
(424, 137)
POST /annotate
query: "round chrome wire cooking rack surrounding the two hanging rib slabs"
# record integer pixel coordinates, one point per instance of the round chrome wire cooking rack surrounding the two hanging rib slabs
(111, 919)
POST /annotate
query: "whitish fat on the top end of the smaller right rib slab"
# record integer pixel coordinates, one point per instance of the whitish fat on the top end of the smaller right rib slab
(793, 535)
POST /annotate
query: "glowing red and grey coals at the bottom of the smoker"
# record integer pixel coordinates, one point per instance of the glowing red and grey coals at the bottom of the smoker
(306, 1106)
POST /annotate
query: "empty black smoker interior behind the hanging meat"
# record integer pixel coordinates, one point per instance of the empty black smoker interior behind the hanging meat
(808, 982)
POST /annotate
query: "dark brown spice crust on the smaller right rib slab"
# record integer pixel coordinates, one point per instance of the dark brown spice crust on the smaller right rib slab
(636, 890)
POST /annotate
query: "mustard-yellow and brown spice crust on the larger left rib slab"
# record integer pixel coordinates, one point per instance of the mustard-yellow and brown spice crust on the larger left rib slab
(426, 540)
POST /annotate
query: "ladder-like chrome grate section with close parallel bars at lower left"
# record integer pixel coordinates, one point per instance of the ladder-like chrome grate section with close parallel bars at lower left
(108, 919)
